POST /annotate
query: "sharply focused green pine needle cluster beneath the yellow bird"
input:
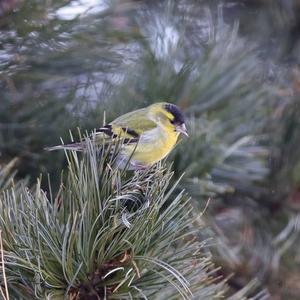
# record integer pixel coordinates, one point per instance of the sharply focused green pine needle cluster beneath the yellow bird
(104, 233)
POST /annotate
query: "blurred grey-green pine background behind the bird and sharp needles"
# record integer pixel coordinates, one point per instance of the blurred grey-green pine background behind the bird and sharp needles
(233, 67)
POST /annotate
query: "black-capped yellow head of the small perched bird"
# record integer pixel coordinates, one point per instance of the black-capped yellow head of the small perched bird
(169, 116)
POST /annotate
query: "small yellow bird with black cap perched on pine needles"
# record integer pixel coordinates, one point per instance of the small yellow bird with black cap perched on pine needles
(149, 134)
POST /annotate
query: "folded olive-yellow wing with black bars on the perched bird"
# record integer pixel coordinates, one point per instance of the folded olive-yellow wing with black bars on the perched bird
(130, 126)
